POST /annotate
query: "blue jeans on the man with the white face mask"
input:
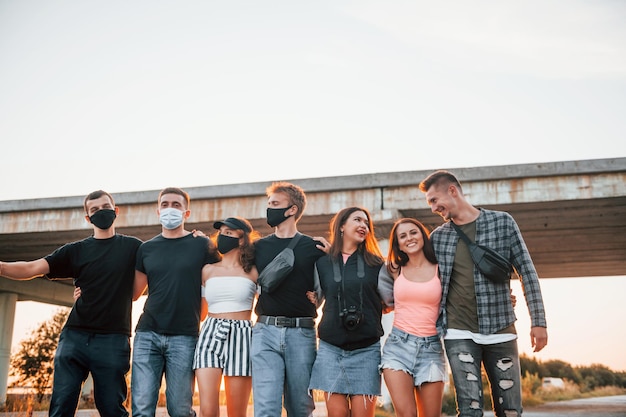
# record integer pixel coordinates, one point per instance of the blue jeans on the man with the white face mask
(155, 355)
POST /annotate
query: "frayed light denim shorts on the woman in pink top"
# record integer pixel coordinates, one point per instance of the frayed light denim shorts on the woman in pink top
(421, 357)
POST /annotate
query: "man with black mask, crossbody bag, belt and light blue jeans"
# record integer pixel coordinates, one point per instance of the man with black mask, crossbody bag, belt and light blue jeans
(283, 339)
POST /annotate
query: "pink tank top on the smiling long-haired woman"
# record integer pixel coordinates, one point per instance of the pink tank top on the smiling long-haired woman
(416, 305)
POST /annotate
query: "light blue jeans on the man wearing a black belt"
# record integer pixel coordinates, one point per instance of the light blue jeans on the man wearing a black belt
(282, 359)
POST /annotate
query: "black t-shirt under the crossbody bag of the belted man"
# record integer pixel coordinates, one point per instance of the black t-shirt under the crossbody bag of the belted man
(289, 298)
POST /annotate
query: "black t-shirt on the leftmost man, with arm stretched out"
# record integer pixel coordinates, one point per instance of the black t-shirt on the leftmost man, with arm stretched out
(104, 269)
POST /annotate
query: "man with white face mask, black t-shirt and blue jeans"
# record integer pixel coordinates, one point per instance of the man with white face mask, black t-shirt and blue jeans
(170, 266)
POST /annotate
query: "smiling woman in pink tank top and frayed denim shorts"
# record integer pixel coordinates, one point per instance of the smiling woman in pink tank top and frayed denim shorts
(413, 360)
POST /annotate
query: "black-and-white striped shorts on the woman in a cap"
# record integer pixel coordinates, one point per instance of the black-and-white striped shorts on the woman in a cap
(225, 344)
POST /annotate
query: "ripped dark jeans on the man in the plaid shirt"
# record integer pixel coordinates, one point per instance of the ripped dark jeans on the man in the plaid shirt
(501, 362)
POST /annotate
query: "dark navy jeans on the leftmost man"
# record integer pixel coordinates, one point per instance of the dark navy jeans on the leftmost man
(106, 356)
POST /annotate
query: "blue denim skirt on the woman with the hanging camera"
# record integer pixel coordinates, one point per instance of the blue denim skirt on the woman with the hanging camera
(350, 372)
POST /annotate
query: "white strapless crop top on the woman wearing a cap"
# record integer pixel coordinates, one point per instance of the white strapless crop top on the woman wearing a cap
(229, 294)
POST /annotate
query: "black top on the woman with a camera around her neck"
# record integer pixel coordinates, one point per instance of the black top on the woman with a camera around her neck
(359, 292)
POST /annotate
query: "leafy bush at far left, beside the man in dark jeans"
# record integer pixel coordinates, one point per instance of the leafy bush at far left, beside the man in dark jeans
(33, 363)
